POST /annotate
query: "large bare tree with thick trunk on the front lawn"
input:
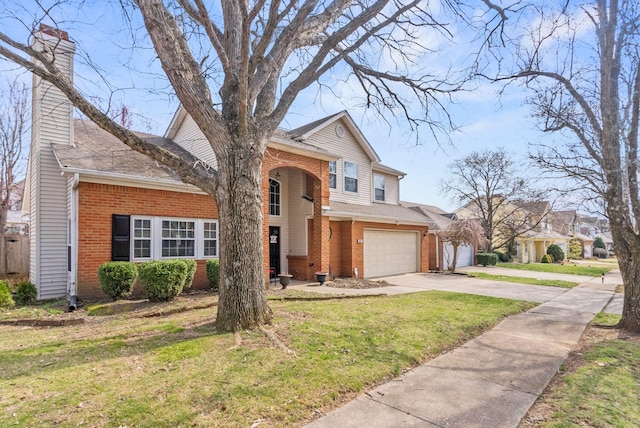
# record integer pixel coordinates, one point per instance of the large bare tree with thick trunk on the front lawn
(267, 53)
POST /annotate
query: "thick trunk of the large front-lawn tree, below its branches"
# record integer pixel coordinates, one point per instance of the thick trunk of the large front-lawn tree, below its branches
(242, 300)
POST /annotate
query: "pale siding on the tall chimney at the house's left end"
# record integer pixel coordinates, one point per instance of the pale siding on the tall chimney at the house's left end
(53, 115)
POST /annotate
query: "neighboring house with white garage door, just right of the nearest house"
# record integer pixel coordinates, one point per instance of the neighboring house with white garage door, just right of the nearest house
(441, 253)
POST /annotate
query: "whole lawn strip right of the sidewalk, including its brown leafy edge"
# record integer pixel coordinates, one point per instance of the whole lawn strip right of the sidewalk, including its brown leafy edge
(598, 386)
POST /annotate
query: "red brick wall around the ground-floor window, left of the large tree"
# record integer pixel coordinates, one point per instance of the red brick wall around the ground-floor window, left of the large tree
(97, 203)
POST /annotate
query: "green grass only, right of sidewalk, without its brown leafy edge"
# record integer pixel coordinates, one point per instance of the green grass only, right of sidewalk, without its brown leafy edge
(604, 391)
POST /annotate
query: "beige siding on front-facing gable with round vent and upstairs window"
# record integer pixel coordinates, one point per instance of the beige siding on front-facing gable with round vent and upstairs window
(350, 150)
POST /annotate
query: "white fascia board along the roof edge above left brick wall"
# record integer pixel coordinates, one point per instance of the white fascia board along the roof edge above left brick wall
(89, 176)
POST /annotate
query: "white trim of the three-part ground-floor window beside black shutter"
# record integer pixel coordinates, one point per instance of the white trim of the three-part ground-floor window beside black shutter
(156, 238)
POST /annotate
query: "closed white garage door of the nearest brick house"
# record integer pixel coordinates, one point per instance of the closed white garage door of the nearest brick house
(390, 252)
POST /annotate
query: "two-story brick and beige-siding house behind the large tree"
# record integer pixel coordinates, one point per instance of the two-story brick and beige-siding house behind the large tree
(330, 205)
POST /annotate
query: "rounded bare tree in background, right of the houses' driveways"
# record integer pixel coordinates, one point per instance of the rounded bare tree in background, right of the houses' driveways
(491, 188)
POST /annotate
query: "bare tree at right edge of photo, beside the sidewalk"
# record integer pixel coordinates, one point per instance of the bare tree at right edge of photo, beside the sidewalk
(581, 65)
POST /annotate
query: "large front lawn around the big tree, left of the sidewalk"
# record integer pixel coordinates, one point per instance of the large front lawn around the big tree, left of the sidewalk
(178, 371)
